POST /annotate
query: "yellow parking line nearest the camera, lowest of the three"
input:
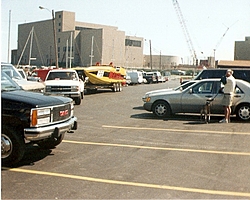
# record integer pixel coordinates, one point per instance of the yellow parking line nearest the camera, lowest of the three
(147, 185)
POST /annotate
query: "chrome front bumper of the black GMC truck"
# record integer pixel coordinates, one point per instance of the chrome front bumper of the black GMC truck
(40, 133)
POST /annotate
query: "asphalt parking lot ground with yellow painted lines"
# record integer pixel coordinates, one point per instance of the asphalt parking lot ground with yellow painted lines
(121, 151)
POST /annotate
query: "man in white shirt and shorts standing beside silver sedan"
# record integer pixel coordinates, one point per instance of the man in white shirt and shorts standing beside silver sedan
(229, 88)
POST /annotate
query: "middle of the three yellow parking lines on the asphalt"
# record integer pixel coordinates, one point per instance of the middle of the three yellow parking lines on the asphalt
(159, 148)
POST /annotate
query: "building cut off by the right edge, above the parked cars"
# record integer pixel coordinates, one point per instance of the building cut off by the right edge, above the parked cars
(242, 49)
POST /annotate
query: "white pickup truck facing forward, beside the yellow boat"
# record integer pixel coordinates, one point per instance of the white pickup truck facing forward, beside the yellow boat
(64, 82)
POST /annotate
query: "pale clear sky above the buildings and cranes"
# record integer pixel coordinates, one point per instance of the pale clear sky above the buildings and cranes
(213, 25)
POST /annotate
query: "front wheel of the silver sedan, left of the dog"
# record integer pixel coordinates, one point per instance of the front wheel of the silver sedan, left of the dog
(161, 109)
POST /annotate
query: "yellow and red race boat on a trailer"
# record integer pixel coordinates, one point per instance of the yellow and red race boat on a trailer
(103, 76)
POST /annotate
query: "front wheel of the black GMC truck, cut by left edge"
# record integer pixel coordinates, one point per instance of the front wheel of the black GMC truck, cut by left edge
(13, 146)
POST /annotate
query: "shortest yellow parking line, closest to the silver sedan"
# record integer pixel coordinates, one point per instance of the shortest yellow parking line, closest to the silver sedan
(176, 130)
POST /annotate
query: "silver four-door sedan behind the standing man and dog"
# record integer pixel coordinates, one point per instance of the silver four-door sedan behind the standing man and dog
(193, 98)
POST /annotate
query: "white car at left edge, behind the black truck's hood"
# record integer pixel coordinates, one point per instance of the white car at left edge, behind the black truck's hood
(13, 73)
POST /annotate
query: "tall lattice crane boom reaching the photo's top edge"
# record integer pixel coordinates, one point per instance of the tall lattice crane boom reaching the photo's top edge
(185, 31)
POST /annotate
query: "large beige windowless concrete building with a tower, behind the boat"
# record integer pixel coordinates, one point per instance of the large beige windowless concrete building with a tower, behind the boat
(81, 43)
